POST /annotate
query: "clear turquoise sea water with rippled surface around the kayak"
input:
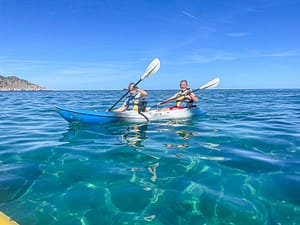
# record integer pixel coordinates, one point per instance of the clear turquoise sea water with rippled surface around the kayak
(238, 164)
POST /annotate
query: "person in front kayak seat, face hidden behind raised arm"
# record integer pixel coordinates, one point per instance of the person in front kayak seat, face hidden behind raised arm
(135, 100)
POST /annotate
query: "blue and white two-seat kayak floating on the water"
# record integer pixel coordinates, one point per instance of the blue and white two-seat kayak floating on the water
(97, 117)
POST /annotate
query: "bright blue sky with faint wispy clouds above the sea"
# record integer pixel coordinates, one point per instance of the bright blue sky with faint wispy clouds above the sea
(105, 44)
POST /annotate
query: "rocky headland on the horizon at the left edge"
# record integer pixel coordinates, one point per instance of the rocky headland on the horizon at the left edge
(13, 83)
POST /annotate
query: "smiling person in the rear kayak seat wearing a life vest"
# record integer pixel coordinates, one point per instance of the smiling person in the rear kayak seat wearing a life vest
(185, 98)
